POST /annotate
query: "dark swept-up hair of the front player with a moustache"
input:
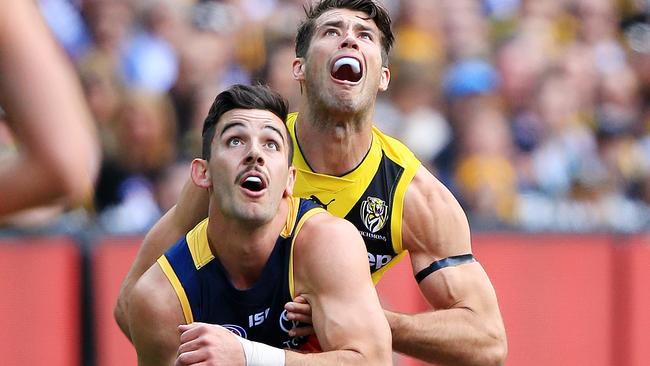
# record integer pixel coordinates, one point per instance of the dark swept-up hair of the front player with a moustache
(244, 97)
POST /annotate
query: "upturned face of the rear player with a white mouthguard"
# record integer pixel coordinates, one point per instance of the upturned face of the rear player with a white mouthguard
(342, 69)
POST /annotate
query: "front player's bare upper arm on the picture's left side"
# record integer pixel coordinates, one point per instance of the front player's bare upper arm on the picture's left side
(154, 315)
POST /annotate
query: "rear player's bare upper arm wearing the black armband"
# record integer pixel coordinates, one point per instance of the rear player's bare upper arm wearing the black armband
(435, 228)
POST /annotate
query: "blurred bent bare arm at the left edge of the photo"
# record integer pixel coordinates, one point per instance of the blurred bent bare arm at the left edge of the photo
(58, 155)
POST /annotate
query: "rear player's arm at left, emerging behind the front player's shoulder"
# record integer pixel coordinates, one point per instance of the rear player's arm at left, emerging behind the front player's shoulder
(191, 208)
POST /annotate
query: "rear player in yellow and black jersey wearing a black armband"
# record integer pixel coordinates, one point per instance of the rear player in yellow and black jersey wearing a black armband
(341, 64)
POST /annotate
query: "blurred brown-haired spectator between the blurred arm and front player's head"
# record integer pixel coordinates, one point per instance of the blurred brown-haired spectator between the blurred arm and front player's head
(145, 135)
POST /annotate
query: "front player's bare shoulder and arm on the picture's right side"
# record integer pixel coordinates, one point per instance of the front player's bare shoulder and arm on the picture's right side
(331, 272)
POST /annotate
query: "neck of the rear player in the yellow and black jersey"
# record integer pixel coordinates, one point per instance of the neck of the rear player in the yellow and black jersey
(333, 143)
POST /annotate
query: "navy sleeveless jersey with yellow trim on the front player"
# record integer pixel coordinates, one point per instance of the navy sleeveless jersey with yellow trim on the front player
(207, 295)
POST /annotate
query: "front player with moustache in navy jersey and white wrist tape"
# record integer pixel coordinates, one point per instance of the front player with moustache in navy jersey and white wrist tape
(258, 249)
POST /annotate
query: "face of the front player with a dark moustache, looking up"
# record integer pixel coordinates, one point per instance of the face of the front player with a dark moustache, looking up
(249, 165)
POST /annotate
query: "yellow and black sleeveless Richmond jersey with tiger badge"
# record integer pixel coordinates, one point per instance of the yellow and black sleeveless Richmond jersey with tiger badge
(371, 196)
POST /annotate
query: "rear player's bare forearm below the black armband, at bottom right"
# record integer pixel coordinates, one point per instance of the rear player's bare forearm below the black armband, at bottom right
(447, 337)
